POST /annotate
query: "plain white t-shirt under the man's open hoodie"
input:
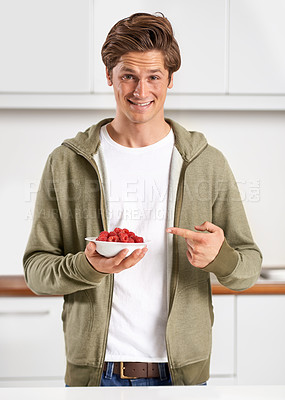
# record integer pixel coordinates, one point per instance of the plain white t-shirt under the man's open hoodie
(137, 188)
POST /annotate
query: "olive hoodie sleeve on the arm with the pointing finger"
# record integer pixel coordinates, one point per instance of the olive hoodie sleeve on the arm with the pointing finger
(238, 263)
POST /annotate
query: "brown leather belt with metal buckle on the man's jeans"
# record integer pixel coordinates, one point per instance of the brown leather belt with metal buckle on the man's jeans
(131, 370)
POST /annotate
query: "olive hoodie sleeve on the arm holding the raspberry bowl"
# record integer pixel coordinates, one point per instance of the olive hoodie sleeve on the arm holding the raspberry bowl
(47, 269)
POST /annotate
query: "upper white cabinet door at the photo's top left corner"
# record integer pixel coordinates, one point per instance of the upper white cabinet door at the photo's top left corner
(44, 46)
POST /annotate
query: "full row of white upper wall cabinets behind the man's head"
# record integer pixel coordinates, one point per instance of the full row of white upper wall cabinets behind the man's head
(232, 53)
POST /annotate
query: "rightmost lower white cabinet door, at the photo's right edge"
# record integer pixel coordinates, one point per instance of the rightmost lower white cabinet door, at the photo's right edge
(261, 339)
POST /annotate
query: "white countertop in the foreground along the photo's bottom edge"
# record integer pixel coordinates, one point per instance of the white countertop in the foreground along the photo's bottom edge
(150, 393)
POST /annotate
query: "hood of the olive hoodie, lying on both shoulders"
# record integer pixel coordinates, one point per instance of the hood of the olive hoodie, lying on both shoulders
(189, 143)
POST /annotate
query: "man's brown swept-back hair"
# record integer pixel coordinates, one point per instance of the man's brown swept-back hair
(141, 32)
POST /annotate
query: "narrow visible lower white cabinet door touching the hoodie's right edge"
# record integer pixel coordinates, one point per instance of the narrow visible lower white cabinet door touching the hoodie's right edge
(223, 348)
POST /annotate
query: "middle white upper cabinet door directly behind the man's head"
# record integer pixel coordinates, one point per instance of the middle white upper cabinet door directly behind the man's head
(199, 27)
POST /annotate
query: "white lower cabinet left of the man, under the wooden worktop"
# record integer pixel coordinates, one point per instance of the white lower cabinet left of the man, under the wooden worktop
(31, 341)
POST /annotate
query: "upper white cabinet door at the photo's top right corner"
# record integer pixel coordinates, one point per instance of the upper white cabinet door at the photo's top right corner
(257, 56)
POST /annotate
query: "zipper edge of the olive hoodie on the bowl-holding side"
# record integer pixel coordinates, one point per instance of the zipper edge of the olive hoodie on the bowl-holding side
(105, 227)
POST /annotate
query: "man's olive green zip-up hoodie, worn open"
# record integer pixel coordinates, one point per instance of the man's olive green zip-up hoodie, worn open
(71, 206)
